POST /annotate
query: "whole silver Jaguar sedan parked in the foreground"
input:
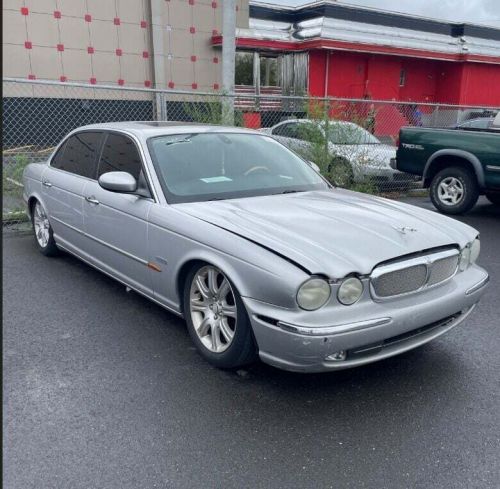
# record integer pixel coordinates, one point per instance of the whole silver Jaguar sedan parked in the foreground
(262, 257)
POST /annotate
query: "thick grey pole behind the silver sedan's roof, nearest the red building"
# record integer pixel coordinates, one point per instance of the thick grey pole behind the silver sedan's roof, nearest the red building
(228, 59)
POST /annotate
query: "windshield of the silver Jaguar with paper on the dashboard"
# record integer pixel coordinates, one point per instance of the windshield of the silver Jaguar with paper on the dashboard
(212, 166)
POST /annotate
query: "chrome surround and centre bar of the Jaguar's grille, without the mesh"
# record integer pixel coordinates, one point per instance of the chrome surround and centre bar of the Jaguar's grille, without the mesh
(428, 260)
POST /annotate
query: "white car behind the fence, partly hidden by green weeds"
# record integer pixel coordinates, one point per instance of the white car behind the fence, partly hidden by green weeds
(364, 156)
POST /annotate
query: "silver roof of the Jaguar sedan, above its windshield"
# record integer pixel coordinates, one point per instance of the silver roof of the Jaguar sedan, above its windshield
(159, 128)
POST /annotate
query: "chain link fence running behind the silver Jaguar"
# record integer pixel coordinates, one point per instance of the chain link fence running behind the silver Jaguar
(352, 141)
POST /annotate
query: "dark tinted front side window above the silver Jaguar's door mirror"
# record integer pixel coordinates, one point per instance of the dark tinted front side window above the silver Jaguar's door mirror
(120, 154)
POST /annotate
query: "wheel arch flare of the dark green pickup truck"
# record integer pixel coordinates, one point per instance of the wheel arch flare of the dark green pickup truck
(453, 157)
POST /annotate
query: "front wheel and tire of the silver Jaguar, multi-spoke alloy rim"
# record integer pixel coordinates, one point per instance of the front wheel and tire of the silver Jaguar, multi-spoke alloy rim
(216, 318)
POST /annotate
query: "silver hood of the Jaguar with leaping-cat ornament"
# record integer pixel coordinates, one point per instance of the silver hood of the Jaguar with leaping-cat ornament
(335, 232)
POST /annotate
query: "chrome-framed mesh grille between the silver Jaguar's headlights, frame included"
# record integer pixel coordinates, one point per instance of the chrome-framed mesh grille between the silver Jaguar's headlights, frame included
(407, 276)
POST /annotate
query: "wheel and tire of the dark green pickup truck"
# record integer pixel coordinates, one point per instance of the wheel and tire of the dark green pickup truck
(454, 190)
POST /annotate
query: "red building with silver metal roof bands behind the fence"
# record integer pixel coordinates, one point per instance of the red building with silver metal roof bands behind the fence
(329, 49)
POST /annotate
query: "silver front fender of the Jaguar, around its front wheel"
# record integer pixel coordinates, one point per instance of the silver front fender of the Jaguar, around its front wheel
(177, 239)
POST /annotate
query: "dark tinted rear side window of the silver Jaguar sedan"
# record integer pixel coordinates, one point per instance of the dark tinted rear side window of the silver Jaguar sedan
(79, 154)
